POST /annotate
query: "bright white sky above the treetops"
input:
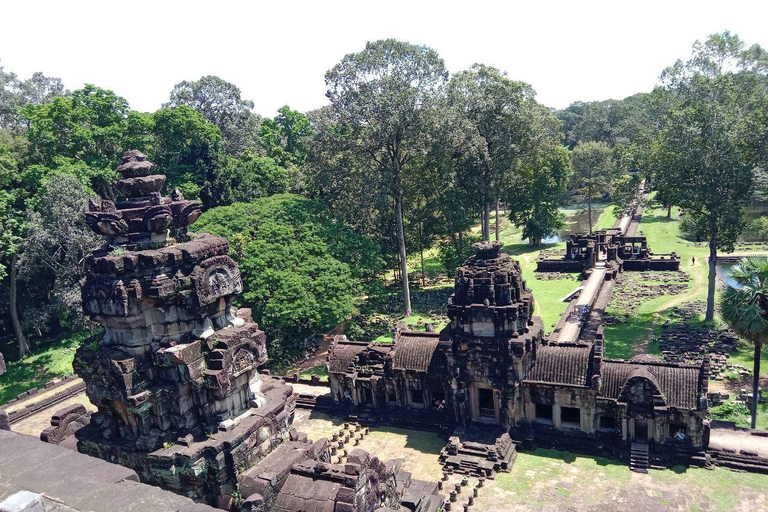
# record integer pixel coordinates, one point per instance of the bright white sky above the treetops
(277, 52)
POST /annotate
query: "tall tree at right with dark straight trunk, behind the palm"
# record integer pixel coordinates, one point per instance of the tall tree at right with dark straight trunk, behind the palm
(705, 167)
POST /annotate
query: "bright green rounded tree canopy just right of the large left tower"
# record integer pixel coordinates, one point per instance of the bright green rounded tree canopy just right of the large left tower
(302, 271)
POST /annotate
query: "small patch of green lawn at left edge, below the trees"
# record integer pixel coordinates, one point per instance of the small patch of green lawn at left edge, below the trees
(50, 358)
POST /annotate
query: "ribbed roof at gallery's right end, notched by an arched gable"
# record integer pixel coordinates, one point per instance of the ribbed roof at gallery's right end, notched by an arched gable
(679, 384)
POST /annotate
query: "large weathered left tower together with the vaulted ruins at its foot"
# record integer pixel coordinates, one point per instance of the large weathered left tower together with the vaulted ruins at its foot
(175, 375)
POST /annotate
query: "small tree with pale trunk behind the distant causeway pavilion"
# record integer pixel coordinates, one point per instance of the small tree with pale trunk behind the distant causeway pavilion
(593, 170)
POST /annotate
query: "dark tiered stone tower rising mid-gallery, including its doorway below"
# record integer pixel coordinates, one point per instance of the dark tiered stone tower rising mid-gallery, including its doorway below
(494, 335)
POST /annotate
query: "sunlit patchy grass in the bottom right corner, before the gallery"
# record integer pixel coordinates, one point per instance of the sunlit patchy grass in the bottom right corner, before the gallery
(553, 480)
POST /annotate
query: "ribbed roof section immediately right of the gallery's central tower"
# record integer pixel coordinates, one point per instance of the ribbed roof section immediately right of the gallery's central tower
(558, 364)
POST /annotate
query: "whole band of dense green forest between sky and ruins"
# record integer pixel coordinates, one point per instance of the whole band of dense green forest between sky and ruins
(320, 206)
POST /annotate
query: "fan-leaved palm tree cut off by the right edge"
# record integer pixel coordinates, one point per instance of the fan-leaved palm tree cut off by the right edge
(745, 309)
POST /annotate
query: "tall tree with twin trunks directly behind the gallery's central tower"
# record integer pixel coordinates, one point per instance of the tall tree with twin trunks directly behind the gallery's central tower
(507, 123)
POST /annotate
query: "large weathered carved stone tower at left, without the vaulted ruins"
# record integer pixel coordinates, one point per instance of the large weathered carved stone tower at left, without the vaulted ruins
(175, 374)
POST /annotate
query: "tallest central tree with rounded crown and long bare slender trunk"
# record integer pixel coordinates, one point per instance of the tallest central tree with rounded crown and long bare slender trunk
(382, 99)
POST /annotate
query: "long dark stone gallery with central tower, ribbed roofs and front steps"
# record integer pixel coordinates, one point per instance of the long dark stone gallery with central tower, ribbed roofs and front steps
(490, 374)
